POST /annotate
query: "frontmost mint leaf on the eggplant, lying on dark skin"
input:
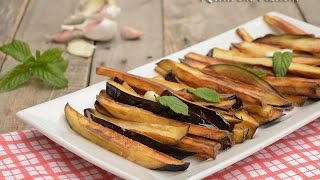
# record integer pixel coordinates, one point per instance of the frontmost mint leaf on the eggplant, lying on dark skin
(175, 104)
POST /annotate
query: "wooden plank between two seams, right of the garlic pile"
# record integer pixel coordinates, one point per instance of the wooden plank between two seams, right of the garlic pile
(126, 55)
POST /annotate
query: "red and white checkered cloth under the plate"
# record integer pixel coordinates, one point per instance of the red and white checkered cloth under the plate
(30, 155)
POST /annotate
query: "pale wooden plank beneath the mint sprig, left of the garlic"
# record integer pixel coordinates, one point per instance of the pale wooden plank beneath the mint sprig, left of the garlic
(42, 17)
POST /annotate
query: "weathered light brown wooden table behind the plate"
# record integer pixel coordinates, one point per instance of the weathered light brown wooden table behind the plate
(168, 26)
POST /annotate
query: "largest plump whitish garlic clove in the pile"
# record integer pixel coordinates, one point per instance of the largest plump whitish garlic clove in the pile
(100, 30)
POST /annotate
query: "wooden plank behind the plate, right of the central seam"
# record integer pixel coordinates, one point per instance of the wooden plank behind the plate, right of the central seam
(187, 22)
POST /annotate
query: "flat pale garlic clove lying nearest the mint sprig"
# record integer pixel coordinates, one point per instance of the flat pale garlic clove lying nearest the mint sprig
(80, 47)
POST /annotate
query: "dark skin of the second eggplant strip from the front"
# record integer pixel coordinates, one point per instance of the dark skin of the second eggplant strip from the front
(164, 148)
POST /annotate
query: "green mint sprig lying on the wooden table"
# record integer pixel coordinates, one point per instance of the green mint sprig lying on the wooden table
(49, 67)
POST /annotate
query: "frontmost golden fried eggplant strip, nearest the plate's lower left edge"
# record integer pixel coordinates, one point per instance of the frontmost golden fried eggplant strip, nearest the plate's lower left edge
(118, 144)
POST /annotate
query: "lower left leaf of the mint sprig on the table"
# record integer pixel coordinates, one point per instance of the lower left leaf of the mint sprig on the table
(14, 78)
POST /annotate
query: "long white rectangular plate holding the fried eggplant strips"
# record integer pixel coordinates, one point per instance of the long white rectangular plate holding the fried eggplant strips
(49, 119)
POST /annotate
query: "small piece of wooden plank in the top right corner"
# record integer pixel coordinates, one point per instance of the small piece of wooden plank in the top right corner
(310, 10)
